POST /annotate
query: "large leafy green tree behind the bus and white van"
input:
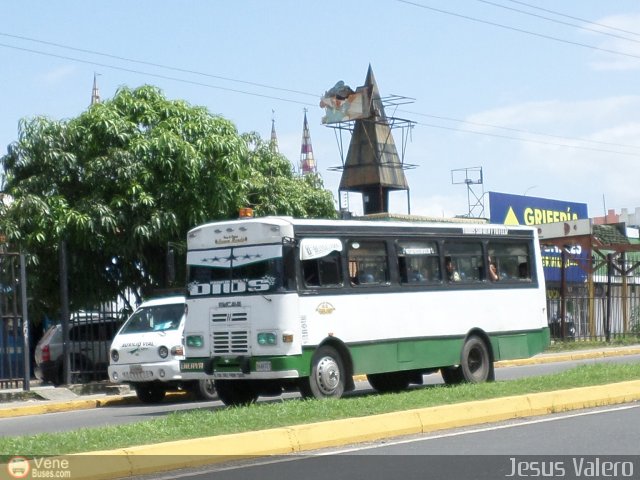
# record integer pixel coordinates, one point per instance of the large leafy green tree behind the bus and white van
(125, 178)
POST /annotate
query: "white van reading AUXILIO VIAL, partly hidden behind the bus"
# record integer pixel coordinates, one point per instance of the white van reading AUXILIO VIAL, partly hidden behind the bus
(147, 350)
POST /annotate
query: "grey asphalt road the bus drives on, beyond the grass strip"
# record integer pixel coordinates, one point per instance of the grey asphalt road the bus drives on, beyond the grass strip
(114, 415)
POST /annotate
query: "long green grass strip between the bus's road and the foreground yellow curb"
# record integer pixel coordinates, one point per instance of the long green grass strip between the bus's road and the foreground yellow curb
(219, 421)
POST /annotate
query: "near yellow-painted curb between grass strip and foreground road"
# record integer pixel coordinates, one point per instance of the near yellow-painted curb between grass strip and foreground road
(196, 452)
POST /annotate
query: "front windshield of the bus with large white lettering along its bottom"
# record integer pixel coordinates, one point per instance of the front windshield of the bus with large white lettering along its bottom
(235, 270)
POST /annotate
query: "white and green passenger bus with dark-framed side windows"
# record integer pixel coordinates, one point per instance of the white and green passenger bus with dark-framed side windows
(277, 304)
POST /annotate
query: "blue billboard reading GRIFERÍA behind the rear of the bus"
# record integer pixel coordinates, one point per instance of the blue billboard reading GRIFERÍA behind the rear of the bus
(509, 209)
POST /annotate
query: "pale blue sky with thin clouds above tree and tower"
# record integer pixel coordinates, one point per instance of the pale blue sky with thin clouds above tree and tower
(542, 97)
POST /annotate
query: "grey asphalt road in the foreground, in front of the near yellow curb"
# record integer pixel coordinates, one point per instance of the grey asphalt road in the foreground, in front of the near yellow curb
(571, 445)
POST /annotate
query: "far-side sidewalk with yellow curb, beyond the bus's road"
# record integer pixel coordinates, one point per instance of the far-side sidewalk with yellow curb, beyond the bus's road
(49, 399)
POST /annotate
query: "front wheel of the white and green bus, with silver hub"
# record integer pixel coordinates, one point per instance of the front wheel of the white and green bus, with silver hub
(327, 374)
